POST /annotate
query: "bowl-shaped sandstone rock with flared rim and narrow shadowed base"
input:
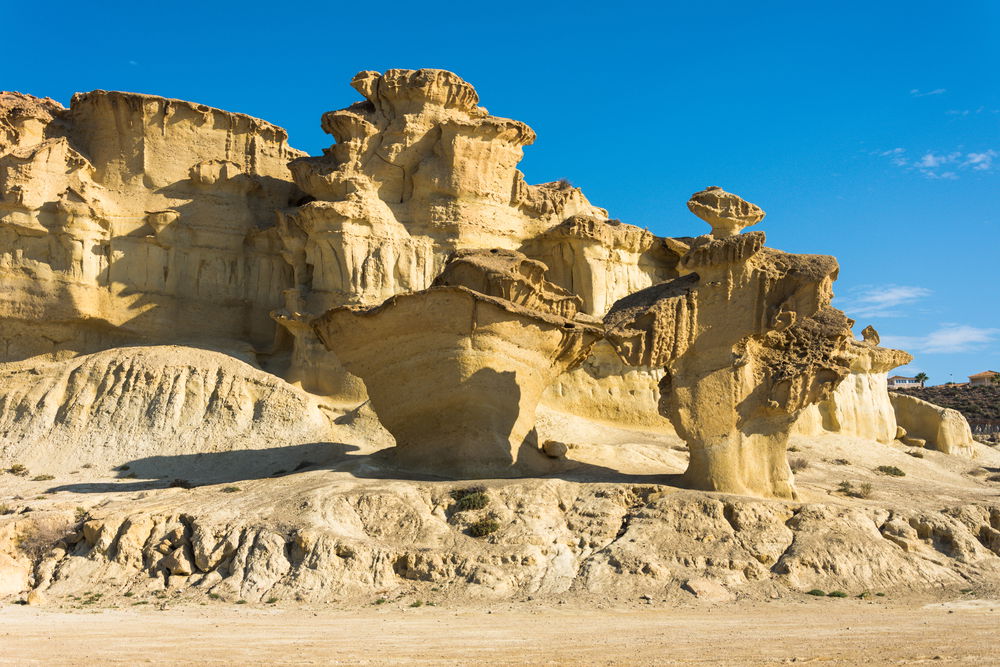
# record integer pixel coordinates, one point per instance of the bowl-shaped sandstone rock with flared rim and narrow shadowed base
(456, 371)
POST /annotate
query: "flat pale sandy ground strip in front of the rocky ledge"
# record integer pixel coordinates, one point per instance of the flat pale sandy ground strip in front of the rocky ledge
(822, 631)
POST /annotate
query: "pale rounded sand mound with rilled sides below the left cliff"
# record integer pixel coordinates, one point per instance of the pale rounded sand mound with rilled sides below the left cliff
(155, 409)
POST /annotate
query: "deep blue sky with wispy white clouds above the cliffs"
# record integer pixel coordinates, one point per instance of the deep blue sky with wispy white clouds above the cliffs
(866, 130)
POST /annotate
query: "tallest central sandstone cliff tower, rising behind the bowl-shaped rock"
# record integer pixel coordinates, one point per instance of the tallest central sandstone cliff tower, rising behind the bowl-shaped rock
(419, 171)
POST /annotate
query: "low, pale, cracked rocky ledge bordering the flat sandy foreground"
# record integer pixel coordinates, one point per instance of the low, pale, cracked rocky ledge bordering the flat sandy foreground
(352, 545)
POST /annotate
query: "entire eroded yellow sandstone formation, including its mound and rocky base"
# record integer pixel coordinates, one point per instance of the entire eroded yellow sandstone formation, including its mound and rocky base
(189, 301)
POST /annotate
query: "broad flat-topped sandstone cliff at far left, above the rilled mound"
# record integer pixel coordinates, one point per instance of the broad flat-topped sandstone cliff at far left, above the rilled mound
(132, 217)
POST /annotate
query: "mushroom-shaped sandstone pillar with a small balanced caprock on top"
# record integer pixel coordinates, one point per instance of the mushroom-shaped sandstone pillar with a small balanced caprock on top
(747, 338)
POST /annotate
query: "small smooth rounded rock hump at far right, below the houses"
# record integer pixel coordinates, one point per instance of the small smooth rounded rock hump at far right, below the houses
(943, 429)
